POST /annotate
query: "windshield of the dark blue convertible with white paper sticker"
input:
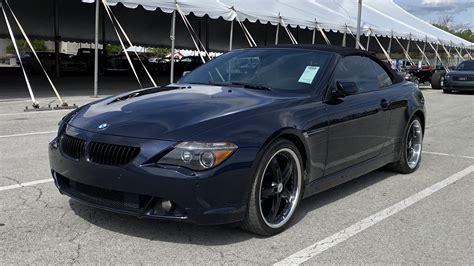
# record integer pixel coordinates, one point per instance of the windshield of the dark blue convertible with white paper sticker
(270, 68)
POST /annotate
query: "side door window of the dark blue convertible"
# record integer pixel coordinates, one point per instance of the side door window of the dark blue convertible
(360, 70)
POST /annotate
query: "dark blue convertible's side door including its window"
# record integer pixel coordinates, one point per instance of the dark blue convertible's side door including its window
(358, 123)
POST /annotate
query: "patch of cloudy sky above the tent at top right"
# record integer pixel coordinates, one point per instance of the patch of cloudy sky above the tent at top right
(431, 10)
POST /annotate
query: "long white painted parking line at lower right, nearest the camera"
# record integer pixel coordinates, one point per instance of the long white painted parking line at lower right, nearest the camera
(343, 235)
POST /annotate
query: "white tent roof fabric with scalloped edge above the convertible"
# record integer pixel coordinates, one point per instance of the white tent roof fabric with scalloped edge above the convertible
(382, 17)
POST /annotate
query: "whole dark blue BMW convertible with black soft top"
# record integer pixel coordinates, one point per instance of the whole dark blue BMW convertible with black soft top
(243, 138)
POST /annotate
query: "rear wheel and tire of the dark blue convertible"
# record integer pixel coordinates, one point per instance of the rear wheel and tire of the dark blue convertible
(410, 153)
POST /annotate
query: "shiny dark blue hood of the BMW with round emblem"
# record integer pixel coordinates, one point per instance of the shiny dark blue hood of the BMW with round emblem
(172, 113)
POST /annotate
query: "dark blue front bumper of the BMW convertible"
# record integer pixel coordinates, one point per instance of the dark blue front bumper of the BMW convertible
(216, 196)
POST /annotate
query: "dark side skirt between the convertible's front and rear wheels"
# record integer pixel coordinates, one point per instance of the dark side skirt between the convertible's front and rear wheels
(330, 181)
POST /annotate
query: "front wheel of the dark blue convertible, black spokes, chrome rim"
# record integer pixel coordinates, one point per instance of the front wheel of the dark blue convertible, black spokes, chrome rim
(260, 219)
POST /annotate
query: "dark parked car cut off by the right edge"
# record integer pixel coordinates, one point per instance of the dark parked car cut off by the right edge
(460, 79)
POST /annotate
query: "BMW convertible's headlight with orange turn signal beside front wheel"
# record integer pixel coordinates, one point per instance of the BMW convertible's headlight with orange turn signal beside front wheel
(198, 156)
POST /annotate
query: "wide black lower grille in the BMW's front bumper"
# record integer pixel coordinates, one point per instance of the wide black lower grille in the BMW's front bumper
(104, 197)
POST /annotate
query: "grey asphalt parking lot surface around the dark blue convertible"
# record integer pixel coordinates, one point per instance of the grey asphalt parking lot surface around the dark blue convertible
(40, 226)
